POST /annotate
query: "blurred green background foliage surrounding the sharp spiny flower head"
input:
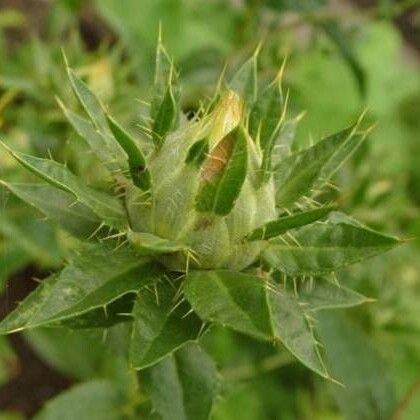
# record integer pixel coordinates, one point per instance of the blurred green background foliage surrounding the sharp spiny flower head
(343, 58)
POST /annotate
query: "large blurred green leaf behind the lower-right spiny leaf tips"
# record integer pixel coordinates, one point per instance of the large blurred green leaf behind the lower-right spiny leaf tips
(368, 392)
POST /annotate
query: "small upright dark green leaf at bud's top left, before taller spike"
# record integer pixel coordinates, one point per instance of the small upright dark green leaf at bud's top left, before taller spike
(166, 117)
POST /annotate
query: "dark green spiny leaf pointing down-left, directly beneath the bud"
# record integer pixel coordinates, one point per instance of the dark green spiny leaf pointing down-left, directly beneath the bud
(160, 327)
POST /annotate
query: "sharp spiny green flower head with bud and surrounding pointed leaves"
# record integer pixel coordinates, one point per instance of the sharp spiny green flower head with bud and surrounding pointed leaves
(208, 221)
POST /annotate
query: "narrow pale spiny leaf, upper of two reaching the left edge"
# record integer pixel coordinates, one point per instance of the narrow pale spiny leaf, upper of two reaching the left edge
(106, 207)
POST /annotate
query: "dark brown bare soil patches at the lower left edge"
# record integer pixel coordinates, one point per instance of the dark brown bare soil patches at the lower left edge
(34, 382)
